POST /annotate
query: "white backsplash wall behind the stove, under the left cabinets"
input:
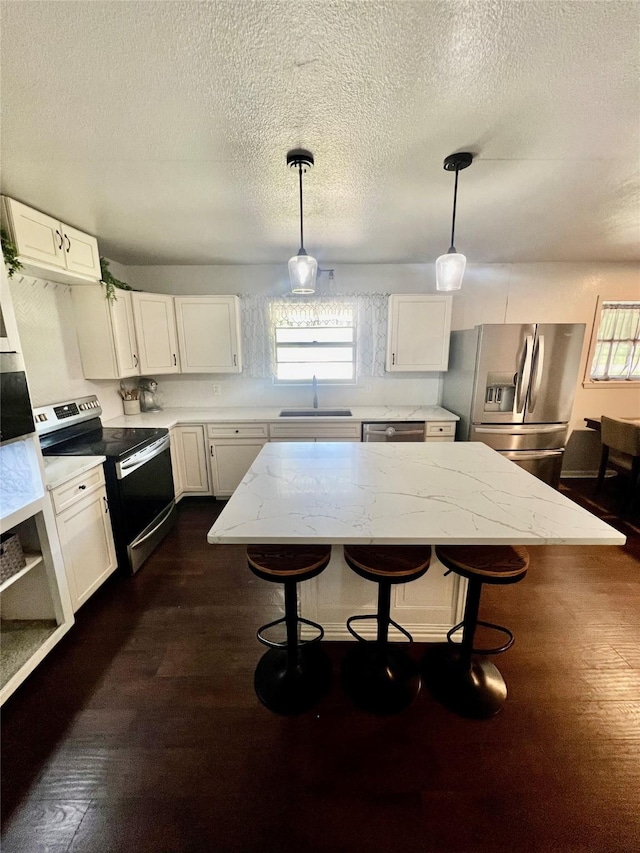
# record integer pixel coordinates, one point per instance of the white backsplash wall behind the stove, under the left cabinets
(44, 313)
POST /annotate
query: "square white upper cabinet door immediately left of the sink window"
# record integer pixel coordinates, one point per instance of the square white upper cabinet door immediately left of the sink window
(208, 334)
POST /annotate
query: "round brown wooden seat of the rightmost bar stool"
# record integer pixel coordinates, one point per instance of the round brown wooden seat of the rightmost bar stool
(493, 563)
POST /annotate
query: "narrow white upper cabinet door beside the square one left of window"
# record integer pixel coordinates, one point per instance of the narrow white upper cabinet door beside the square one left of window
(153, 316)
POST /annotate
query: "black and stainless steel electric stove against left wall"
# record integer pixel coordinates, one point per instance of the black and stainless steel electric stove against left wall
(138, 473)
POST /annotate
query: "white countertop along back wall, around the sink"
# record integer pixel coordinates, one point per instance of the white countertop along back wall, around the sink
(171, 417)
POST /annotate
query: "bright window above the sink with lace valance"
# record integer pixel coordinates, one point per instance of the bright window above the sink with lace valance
(317, 340)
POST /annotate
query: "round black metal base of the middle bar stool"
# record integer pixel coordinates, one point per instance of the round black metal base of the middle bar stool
(380, 680)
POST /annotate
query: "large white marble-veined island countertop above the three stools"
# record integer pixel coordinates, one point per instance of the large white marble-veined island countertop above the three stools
(400, 493)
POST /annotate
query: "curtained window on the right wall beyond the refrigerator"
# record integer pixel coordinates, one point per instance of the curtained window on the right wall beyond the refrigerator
(616, 348)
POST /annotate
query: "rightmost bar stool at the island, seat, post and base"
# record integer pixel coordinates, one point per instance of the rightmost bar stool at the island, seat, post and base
(472, 687)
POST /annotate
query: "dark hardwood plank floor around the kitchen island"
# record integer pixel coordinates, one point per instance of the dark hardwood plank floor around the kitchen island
(141, 731)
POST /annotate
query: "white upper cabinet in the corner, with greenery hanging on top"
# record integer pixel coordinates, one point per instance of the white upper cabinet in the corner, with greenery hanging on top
(106, 333)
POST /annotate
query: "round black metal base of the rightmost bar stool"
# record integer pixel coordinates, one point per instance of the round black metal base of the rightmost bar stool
(477, 692)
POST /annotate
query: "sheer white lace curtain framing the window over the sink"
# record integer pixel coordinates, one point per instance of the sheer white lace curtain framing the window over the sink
(262, 314)
